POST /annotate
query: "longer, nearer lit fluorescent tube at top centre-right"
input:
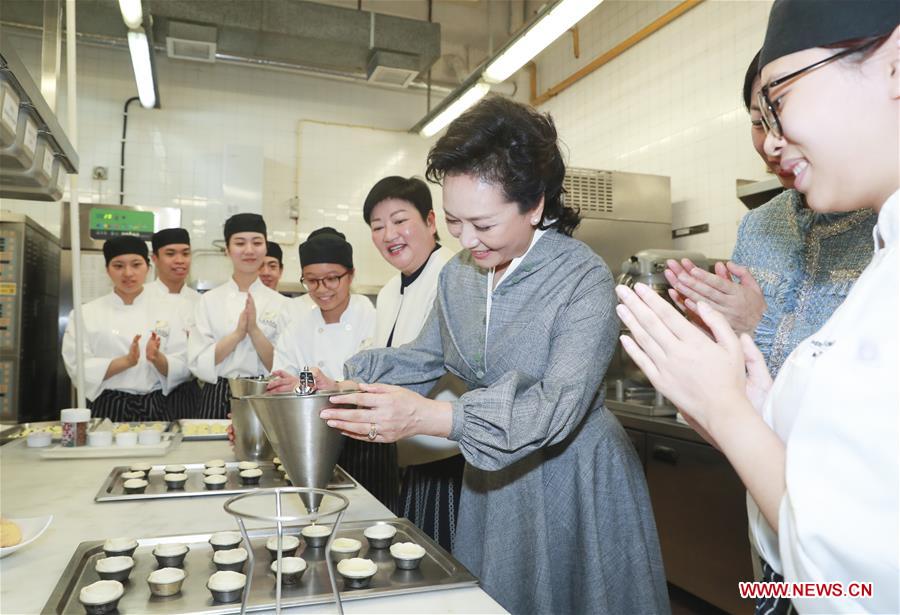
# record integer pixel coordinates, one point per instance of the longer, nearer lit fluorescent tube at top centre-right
(553, 24)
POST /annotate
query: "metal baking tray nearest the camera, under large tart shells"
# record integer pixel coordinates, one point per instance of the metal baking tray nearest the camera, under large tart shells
(438, 571)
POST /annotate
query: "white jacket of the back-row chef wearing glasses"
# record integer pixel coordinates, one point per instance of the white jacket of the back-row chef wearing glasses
(308, 341)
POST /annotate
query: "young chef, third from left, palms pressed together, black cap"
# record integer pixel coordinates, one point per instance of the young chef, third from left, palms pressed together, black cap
(235, 324)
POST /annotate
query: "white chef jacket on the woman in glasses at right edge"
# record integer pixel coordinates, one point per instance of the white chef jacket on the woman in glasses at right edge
(835, 406)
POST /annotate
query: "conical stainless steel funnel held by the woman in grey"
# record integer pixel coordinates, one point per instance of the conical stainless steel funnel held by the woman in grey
(307, 446)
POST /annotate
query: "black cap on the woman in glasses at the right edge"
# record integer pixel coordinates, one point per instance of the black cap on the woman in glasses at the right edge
(795, 25)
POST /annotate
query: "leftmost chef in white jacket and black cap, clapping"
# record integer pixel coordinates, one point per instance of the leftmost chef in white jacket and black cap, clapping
(132, 359)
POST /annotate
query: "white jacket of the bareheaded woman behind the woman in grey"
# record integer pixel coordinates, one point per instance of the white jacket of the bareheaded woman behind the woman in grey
(405, 314)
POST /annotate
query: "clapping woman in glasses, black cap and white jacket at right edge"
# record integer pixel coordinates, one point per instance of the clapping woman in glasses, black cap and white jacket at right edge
(817, 449)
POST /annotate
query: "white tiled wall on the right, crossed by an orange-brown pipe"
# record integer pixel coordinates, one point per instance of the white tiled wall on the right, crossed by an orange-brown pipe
(670, 105)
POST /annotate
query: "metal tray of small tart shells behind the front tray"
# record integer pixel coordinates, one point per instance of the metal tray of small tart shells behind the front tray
(114, 491)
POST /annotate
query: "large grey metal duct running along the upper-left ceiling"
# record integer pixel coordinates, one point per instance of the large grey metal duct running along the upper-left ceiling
(280, 32)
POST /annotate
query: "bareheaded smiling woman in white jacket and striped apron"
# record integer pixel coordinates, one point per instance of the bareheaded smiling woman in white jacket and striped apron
(400, 214)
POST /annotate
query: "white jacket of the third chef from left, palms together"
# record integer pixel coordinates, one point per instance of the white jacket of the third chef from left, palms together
(216, 315)
